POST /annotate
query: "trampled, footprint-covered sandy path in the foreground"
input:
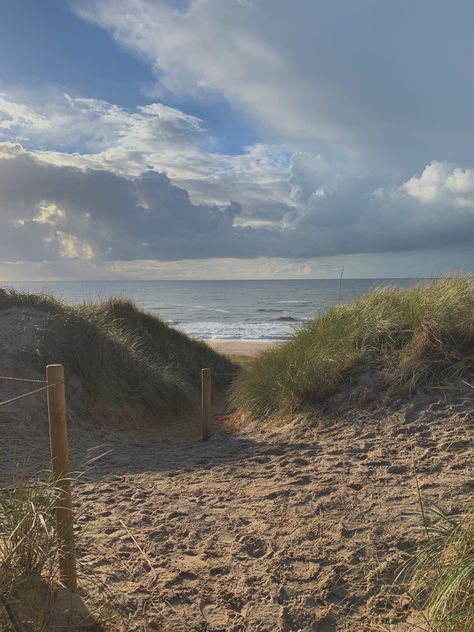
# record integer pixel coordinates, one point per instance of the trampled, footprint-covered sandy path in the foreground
(291, 530)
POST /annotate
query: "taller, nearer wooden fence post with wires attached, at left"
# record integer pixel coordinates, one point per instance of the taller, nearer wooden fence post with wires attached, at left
(61, 473)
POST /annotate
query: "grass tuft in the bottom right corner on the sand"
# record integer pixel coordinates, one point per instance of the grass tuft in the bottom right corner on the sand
(441, 571)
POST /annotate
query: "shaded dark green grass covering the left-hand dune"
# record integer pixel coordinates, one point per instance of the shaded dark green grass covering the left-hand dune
(123, 356)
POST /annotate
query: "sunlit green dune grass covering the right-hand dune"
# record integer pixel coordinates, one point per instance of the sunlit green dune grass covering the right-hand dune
(418, 337)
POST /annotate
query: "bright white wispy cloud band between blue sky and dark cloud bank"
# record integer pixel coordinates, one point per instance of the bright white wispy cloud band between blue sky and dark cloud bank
(129, 142)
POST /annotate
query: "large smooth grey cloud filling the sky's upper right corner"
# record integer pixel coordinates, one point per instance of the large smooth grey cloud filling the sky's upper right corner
(374, 79)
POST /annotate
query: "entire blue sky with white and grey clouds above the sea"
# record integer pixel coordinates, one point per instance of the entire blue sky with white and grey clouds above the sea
(235, 138)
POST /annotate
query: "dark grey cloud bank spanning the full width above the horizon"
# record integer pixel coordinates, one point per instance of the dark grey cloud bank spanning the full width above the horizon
(62, 212)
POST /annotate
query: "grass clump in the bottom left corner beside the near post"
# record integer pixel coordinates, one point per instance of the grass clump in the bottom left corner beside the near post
(31, 594)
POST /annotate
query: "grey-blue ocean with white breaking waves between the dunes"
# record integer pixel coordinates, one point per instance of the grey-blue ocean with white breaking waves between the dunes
(234, 310)
